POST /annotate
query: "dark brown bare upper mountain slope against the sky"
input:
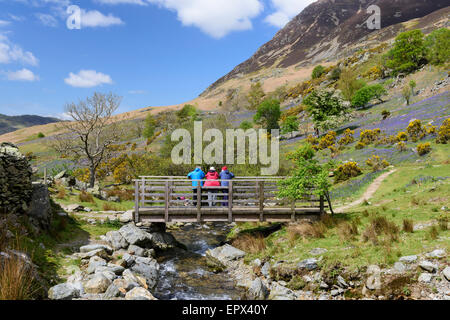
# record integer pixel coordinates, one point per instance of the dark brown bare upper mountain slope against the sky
(326, 27)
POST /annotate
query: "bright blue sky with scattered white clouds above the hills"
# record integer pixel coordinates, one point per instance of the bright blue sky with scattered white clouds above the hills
(150, 52)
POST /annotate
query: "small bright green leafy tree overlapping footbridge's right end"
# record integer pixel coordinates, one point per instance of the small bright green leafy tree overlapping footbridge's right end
(309, 176)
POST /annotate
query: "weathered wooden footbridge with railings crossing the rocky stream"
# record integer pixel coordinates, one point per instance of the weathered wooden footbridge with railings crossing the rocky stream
(174, 199)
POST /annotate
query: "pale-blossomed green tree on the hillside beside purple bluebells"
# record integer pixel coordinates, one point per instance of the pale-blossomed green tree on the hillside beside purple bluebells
(326, 108)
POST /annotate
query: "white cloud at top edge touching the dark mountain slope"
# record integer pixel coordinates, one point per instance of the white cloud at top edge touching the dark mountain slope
(285, 11)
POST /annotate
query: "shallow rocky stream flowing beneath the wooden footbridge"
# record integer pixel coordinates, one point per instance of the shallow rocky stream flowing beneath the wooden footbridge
(184, 274)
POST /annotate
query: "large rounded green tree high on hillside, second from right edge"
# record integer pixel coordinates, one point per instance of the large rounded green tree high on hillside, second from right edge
(408, 53)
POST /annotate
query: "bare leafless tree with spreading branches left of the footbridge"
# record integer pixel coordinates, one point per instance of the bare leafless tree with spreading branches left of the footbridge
(91, 136)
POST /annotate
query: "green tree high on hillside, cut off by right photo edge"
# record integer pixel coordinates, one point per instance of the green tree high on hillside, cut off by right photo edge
(438, 44)
